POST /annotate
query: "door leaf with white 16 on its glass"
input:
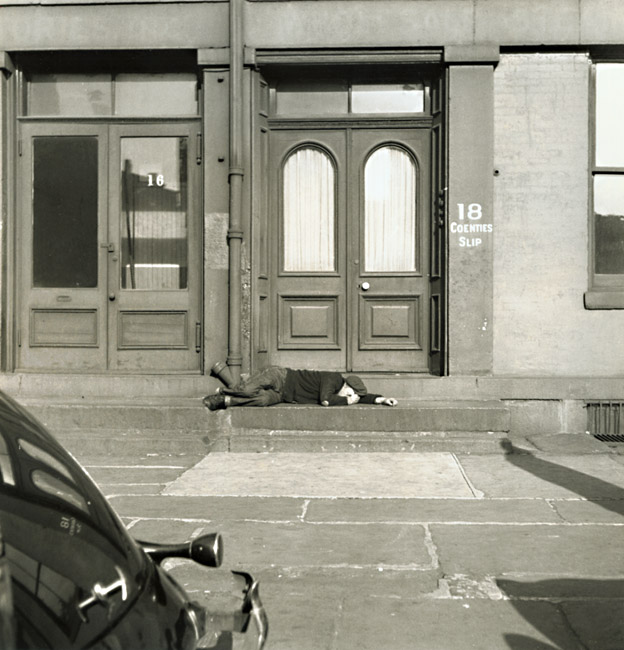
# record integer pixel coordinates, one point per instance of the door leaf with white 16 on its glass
(154, 234)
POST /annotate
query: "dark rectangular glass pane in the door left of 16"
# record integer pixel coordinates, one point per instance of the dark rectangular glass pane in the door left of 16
(65, 219)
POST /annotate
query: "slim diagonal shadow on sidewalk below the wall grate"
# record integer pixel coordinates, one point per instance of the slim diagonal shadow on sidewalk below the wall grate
(607, 495)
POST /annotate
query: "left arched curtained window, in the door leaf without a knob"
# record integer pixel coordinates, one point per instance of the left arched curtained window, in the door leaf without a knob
(309, 211)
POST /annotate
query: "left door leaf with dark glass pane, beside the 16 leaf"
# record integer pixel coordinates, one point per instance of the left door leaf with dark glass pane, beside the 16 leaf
(62, 279)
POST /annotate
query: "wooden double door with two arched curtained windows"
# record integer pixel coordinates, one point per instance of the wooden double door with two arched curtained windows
(351, 219)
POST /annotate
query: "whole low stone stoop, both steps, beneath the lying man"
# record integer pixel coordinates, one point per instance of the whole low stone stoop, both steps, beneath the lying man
(105, 427)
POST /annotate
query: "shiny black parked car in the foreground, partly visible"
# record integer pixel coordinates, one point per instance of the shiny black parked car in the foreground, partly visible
(77, 577)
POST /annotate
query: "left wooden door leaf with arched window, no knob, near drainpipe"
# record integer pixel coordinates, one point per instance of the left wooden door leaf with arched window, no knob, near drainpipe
(308, 200)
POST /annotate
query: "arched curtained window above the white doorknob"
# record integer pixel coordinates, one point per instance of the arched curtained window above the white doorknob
(390, 211)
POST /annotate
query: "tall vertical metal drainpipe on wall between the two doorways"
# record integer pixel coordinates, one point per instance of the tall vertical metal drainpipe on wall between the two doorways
(236, 173)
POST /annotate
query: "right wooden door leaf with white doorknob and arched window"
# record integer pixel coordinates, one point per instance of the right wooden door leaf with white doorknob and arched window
(389, 248)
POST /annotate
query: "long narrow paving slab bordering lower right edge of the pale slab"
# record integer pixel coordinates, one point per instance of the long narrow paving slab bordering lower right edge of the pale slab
(432, 510)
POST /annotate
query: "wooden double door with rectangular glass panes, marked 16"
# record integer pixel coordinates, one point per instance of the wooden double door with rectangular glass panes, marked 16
(109, 247)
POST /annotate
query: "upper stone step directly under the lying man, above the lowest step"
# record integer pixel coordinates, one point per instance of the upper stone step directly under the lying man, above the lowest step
(190, 415)
